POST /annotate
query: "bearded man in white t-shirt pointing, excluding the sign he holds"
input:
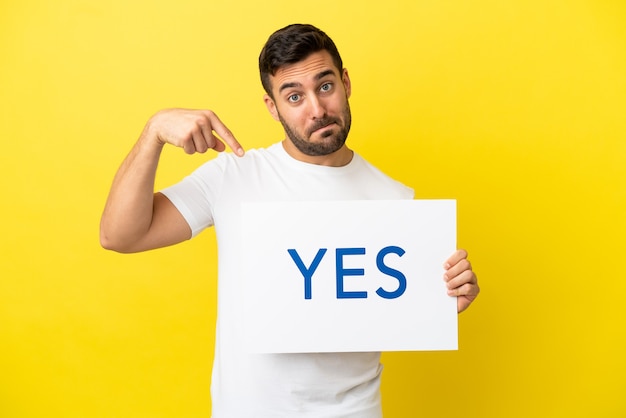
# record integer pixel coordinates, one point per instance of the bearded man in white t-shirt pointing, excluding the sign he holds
(307, 90)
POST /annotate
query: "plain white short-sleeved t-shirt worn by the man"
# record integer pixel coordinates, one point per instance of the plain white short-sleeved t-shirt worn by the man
(278, 385)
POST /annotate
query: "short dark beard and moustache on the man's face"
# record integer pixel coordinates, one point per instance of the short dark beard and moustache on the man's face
(331, 141)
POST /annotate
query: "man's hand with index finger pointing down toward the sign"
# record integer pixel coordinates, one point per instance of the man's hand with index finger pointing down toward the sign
(192, 130)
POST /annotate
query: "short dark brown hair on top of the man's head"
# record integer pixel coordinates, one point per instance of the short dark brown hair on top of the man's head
(292, 44)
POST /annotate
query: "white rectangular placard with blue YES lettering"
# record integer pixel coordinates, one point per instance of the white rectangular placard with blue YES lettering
(348, 276)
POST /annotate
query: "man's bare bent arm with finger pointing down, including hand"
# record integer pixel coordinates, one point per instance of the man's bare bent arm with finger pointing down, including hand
(135, 218)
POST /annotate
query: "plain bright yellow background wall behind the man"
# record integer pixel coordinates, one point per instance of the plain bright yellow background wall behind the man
(515, 108)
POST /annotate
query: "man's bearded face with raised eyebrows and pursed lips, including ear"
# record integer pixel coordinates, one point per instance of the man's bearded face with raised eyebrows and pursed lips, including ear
(311, 102)
